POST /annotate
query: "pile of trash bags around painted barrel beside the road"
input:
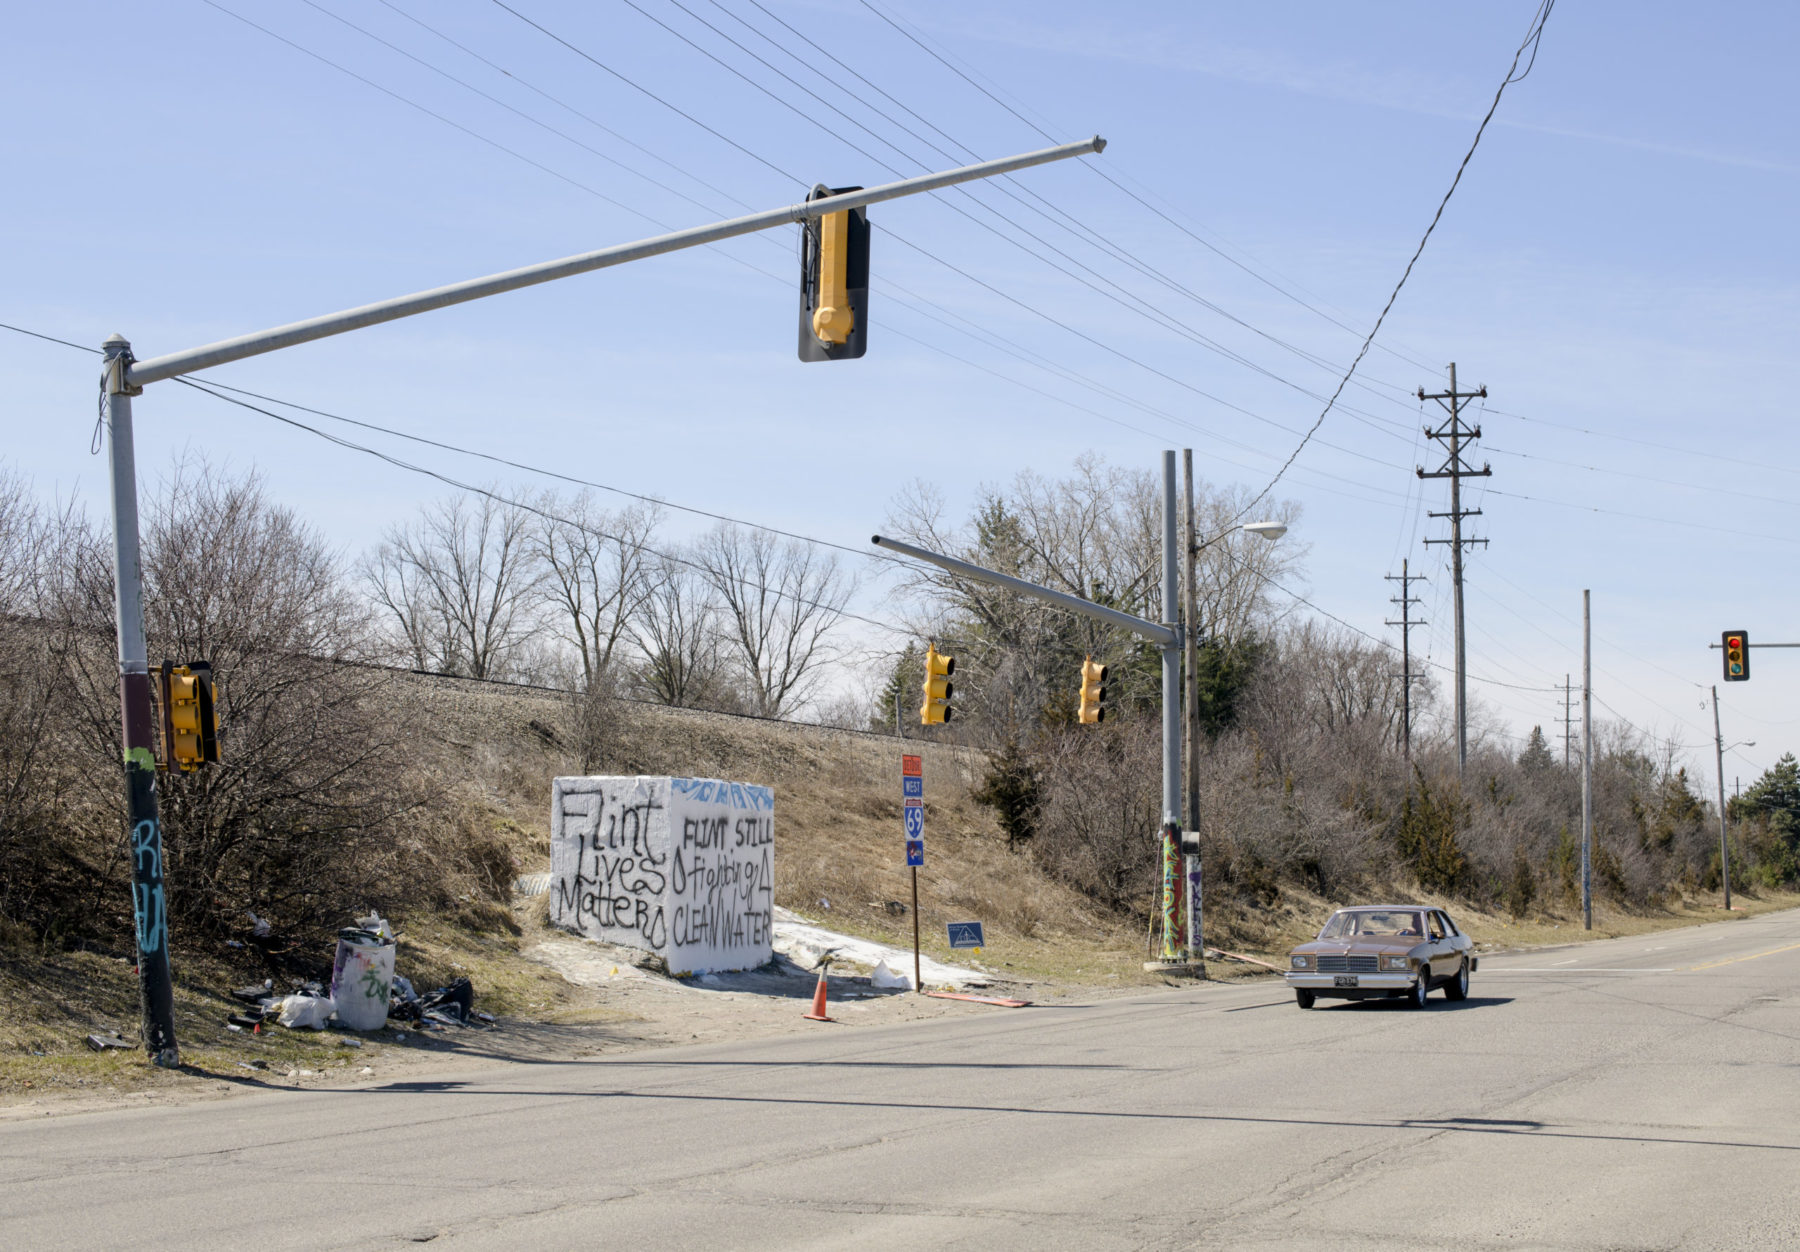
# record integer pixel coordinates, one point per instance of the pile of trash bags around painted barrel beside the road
(364, 994)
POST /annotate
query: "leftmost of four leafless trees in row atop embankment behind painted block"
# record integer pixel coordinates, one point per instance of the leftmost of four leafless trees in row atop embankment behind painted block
(462, 584)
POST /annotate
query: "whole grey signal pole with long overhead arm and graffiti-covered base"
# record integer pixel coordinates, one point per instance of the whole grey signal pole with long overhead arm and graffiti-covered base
(127, 377)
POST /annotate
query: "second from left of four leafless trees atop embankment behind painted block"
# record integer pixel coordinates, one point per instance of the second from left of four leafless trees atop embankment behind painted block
(597, 575)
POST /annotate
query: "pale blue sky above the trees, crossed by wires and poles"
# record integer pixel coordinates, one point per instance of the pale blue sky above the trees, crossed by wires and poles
(1619, 260)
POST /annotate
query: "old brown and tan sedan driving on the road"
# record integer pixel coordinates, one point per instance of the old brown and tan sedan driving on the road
(1383, 952)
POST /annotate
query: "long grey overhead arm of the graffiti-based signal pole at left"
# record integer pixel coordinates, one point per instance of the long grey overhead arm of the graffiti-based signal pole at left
(235, 350)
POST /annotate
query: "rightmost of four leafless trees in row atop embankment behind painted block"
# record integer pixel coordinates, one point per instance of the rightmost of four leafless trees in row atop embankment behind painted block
(780, 604)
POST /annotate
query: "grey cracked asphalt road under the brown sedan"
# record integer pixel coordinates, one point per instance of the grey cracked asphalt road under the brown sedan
(1623, 1095)
